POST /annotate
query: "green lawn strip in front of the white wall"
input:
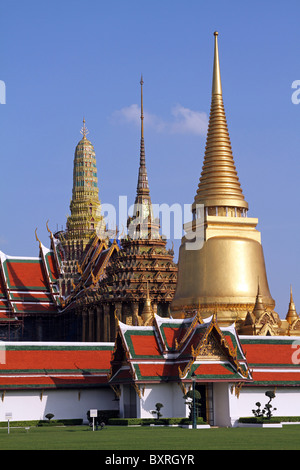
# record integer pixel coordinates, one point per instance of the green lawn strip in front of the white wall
(146, 438)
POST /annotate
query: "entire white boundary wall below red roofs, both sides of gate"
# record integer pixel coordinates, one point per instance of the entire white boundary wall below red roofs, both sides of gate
(73, 404)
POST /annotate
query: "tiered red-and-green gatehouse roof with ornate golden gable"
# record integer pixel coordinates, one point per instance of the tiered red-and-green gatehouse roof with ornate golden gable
(176, 349)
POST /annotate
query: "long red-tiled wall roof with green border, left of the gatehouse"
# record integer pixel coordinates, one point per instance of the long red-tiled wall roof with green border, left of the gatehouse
(53, 365)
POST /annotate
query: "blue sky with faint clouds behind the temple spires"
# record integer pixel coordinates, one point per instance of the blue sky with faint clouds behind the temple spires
(62, 60)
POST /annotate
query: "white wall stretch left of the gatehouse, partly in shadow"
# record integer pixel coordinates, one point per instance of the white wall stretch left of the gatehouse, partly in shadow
(64, 404)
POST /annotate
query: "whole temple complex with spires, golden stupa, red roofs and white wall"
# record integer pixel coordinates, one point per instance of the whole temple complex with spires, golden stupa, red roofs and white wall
(127, 335)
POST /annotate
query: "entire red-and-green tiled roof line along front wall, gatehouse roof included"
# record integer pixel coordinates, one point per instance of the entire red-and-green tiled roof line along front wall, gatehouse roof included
(169, 350)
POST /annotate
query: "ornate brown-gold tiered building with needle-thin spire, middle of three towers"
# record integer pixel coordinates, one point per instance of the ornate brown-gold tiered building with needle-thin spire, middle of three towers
(143, 276)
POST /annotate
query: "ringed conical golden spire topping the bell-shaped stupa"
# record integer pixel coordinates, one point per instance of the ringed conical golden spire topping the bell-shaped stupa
(219, 183)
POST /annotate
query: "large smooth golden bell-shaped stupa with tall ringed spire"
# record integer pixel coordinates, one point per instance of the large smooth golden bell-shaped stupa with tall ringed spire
(221, 260)
